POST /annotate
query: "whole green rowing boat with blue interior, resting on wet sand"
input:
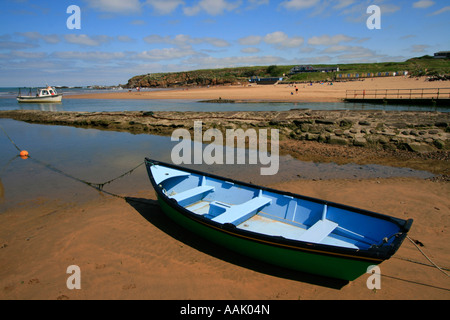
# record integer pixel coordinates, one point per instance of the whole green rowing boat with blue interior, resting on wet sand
(277, 227)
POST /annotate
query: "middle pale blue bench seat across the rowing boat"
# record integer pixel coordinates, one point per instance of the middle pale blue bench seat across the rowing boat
(239, 213)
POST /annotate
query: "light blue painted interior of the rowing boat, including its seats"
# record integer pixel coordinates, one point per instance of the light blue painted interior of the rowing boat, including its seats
(265, 212)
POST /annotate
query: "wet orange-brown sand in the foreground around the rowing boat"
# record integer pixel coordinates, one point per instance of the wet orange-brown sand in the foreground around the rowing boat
(128, 249)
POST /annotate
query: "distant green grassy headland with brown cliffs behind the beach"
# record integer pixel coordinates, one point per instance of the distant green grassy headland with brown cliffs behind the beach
(421, 66)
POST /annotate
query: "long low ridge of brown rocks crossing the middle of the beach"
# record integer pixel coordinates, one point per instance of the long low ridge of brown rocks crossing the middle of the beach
(418, 132)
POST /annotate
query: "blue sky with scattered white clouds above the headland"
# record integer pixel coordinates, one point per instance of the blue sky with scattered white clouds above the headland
(120, 39)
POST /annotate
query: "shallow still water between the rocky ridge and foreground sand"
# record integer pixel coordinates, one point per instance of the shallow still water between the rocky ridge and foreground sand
(98, 156)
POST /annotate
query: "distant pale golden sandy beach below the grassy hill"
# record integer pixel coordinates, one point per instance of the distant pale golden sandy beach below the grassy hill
(281, 92)
